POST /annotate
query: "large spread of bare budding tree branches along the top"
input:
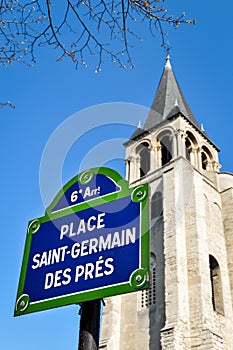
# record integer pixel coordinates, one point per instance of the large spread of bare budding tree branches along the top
(80, 29)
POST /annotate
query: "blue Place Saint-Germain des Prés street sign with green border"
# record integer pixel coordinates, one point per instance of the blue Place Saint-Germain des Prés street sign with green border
(86, 246)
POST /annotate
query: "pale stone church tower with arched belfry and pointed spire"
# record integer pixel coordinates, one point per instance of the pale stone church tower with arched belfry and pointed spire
(189, 304)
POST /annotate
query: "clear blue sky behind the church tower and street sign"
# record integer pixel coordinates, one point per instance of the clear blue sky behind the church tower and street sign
(47, 94)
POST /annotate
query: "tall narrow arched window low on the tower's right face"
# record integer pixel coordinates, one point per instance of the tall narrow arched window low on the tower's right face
(216, 285)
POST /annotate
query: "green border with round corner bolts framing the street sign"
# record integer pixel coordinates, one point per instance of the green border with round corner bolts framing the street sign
(139, 279)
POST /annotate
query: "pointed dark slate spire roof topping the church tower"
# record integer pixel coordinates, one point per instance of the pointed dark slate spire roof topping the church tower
(168, 100)
